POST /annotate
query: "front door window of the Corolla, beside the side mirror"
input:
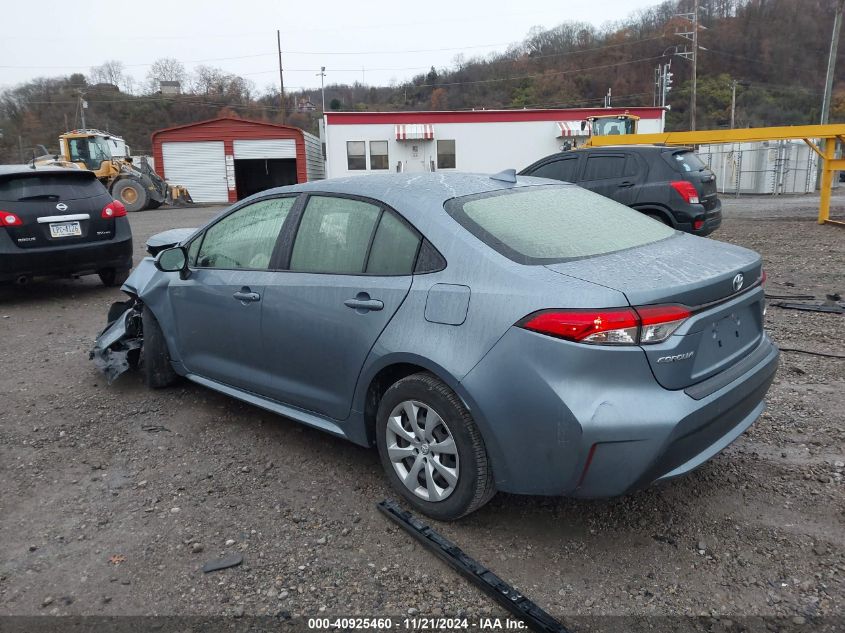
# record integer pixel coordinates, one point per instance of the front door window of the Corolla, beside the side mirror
(246, 238)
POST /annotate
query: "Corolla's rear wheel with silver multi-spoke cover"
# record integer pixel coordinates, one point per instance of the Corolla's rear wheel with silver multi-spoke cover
(431, 448)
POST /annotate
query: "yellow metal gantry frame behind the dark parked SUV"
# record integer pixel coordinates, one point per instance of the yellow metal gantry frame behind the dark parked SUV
(827, 134)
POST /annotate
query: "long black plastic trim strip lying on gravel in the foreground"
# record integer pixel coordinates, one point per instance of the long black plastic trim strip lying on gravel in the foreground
(505, 595)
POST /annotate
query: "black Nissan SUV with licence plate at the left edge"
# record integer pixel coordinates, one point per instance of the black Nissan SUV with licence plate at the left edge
(60, 222)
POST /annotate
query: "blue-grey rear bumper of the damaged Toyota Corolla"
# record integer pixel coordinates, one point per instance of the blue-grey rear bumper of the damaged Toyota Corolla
(559, 419)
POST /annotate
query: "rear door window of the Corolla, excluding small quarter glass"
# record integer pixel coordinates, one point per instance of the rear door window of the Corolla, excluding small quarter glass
(334, 236)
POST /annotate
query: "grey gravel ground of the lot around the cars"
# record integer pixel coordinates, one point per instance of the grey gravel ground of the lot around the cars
(113, 497)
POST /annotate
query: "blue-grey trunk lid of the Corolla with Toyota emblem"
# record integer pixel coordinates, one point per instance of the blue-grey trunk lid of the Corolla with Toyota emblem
(720, 284)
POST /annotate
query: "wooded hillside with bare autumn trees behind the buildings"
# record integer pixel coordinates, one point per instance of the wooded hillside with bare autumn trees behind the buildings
(777, 49)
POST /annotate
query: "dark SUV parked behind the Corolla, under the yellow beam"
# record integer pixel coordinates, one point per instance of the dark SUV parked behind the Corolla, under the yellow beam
(670, 184)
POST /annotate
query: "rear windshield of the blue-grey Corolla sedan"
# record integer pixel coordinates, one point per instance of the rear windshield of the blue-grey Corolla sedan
(543, 225)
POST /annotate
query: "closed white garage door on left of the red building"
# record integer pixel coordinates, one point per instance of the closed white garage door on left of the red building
(200, 166)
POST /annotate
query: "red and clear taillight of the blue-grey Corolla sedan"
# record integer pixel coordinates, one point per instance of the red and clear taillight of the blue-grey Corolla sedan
(621, 326)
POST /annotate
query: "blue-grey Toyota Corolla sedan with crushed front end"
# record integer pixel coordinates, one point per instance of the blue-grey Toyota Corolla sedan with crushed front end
(485, 333)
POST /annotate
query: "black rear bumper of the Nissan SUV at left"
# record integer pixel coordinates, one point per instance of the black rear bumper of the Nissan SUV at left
(71, 259)
